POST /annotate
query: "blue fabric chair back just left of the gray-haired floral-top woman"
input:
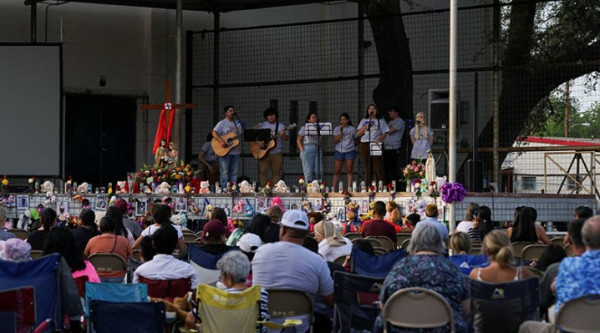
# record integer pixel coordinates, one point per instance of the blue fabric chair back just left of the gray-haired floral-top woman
(375, 266)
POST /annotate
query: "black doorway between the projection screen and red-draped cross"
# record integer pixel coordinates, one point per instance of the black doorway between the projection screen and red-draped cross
(99, 138)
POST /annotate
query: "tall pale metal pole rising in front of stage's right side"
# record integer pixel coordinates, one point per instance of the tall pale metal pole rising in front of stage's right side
(452, 107)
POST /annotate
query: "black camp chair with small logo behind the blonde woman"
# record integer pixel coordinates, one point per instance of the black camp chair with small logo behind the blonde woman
(502, 307)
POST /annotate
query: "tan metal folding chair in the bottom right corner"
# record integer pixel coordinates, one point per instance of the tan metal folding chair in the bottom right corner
(579, 315)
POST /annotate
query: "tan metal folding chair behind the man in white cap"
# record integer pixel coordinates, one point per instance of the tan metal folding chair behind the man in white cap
(284, 303)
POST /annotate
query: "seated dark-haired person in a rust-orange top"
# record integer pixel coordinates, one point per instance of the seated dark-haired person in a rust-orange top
(108, 242)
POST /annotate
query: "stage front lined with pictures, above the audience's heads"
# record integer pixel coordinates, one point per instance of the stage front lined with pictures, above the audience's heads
(550, 207)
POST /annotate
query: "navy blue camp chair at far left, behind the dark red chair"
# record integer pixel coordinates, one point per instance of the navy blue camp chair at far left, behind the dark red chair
(44, 276)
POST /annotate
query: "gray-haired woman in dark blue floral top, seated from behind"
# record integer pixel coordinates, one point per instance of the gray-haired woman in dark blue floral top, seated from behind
(427, 267)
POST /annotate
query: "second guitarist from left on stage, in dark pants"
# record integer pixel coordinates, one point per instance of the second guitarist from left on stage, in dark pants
(273, 160)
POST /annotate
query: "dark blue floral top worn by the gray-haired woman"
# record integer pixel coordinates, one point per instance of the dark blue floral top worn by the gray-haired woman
(433, 272)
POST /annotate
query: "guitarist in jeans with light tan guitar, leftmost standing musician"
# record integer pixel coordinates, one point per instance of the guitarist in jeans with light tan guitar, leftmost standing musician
(228, 132)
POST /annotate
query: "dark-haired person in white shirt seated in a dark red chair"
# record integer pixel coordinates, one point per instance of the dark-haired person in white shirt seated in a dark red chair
(164, 266)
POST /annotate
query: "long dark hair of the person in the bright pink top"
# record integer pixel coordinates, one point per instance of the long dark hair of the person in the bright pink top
(61, 240)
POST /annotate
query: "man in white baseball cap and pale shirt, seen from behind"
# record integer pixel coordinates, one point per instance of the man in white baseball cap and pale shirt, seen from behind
(288, 265)
